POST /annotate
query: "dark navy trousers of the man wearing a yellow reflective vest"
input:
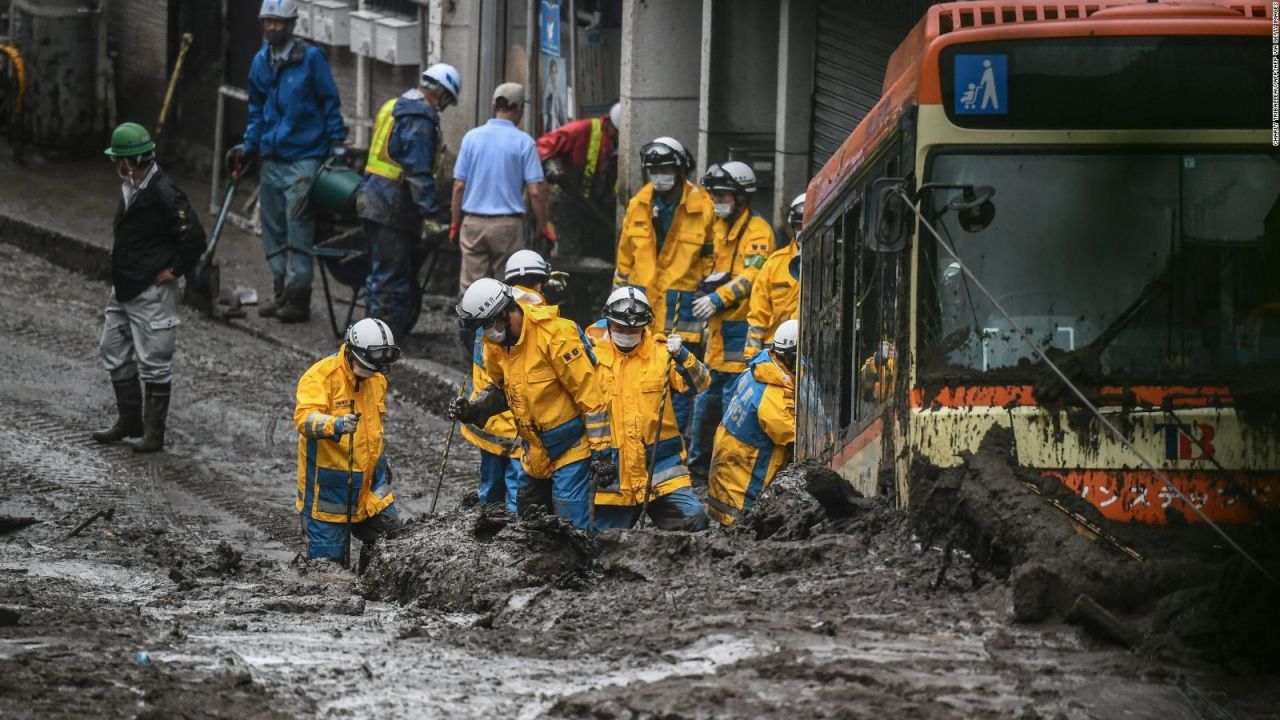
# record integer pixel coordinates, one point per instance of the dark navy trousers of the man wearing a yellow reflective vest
(396, 257)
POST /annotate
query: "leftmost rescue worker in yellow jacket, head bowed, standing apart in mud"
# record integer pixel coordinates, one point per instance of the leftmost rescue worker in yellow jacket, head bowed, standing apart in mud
(345, 484)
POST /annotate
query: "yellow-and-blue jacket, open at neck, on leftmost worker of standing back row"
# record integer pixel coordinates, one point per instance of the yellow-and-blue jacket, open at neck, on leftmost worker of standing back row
(669, 272)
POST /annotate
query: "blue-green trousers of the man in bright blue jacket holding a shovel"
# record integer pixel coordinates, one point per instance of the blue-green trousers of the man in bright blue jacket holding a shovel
(289, 224)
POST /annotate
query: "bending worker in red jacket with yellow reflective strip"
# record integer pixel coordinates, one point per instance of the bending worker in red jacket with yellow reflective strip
(580, 163)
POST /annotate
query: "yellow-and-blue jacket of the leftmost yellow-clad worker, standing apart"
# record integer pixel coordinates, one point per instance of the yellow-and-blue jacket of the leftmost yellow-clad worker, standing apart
(327, 393)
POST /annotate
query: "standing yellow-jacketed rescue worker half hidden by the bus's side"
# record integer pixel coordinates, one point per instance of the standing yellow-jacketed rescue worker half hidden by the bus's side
(776, 293)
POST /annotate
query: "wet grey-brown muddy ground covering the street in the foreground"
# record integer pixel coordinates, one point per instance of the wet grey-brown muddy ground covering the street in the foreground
(189, 600)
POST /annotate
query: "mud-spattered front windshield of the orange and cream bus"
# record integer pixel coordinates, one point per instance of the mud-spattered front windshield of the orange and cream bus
(1149, 266)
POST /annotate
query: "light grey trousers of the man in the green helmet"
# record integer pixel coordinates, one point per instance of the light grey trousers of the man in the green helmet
(139, 336)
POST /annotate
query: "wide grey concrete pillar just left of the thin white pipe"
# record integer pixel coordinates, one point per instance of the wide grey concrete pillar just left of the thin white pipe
(661, 70)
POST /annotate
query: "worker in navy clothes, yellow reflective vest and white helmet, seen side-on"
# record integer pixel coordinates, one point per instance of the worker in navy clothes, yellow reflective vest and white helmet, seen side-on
(399, 202)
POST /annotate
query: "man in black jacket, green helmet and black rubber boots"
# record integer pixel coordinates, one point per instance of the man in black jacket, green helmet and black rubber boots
(158, 239)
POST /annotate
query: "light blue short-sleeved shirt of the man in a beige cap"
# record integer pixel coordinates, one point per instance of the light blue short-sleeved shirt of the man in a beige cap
(497, 161)
